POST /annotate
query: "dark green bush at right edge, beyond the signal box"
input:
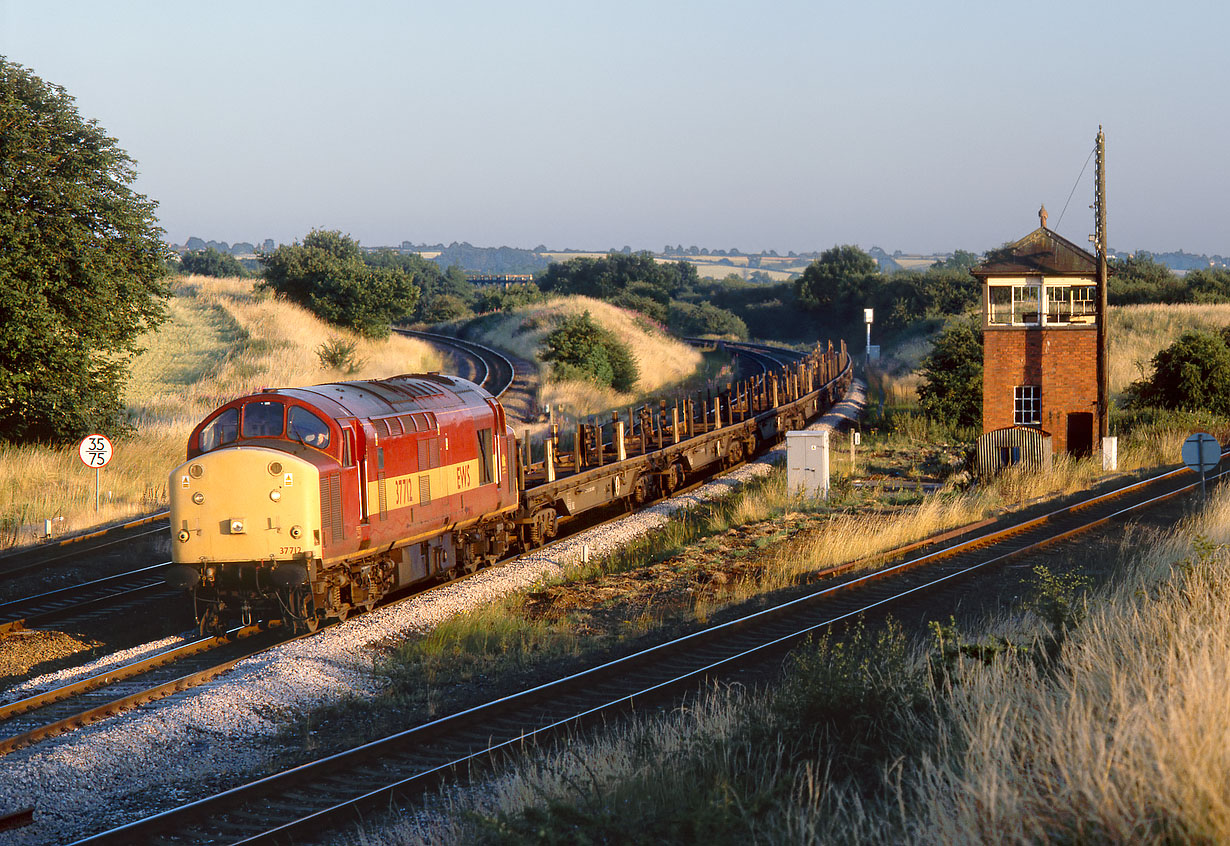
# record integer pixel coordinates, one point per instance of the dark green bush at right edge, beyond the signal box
(1192, 374)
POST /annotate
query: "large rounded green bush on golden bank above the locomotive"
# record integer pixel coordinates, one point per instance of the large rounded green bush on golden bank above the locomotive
(328, 276)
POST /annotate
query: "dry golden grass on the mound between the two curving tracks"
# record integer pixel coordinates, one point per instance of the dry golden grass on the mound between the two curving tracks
(664, 362)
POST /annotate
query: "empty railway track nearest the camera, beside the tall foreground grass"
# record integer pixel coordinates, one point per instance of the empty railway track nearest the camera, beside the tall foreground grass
(393, 772)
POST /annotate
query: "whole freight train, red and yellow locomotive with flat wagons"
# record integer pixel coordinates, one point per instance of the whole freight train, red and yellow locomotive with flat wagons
(307, 504)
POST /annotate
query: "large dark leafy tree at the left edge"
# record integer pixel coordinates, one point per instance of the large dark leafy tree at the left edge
(81, 270)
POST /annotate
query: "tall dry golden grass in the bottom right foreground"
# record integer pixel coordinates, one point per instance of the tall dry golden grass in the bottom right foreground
(1129, 743)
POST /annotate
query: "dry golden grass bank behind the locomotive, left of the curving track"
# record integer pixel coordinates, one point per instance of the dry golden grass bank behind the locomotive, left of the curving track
(223, 340)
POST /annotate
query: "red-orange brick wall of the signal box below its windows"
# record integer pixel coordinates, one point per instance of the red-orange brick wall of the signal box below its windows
(1062, 361)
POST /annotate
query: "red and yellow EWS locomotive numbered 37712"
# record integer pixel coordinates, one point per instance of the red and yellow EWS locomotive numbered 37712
(314, 502)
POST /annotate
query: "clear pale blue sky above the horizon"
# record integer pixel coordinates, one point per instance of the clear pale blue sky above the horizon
(761, 126)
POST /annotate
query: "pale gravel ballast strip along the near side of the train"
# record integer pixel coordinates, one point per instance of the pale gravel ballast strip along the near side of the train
(222, 733)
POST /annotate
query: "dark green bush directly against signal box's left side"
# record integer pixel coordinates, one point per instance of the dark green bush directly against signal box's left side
(953, 377)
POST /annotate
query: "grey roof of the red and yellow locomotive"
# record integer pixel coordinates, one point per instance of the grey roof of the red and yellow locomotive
(397, 395)
